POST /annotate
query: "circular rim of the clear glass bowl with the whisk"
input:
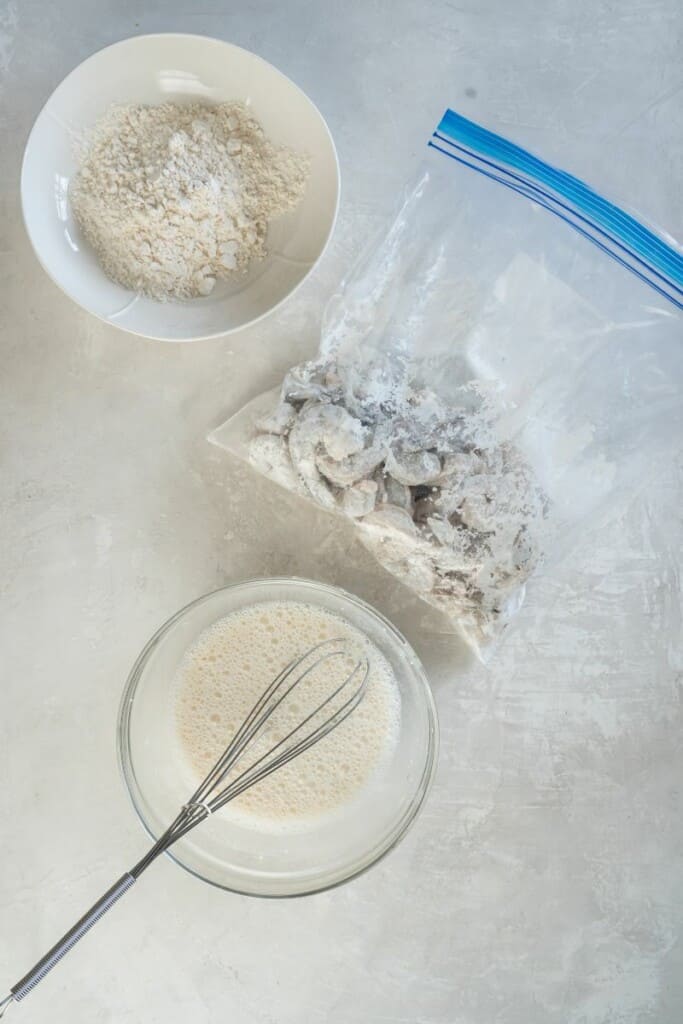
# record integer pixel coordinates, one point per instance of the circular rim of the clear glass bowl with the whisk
(380, 849)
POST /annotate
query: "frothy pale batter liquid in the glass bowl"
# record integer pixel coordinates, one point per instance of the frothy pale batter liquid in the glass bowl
(229, 668)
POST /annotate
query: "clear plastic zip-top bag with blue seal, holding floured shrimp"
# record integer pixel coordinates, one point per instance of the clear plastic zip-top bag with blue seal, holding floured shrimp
(495, 373)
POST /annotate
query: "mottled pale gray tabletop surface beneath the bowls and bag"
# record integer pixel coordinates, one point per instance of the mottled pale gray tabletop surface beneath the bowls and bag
(543, 883)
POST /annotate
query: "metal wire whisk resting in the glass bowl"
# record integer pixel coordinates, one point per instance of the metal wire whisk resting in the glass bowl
(217, 791)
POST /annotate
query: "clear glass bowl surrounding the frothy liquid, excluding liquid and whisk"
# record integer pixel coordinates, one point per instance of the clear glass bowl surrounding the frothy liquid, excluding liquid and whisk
(334, 848)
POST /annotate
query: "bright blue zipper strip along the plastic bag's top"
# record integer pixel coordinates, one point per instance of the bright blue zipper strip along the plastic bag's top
(613, 231)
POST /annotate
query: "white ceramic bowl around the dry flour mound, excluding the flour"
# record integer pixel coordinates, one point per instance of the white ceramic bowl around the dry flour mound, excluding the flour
(177, 68)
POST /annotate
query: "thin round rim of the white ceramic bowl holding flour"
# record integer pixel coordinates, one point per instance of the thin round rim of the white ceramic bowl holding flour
(106, 320)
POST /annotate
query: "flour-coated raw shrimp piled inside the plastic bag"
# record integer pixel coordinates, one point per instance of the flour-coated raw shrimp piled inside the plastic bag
(443, 504)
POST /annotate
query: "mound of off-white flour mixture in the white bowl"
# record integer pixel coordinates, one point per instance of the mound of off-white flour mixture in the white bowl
(173, 198)
